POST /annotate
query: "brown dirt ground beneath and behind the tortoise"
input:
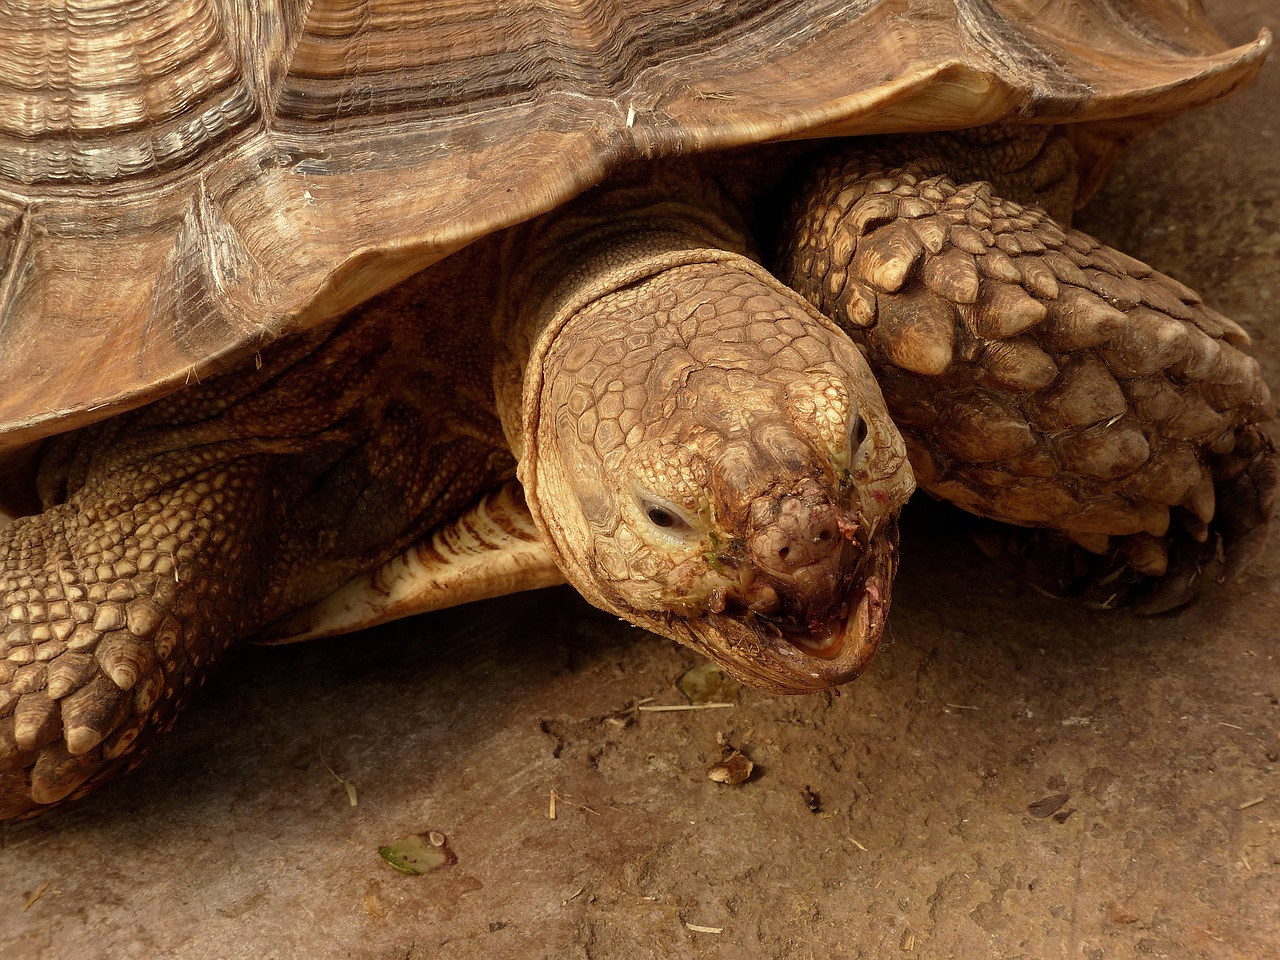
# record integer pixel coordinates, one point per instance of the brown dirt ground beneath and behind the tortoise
(1014, 778)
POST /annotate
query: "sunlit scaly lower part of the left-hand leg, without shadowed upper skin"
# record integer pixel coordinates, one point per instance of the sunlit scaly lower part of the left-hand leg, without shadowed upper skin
(115, 610)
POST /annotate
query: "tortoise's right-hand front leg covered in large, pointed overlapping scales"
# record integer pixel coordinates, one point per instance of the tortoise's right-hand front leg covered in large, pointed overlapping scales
(1040, 378)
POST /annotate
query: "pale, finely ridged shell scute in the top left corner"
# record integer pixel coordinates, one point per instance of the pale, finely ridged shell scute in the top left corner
(80, 104)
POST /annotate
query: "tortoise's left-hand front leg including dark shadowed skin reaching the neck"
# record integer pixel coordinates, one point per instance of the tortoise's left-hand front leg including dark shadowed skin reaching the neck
(175, 531)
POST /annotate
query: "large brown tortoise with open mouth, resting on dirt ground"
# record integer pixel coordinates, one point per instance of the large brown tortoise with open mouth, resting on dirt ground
(317, 316)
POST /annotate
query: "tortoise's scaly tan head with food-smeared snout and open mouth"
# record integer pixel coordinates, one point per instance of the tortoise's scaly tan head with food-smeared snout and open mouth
(714, 461)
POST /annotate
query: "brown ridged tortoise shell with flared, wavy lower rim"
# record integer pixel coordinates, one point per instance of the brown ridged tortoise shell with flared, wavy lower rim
(184, 182)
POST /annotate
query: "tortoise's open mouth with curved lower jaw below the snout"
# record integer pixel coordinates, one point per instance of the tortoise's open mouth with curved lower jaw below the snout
(788, 656)
